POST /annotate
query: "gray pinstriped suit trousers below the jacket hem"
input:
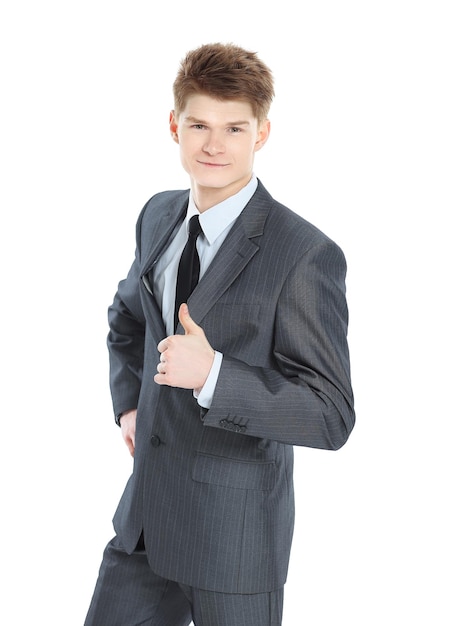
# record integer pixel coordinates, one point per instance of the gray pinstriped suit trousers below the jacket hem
(128, 593)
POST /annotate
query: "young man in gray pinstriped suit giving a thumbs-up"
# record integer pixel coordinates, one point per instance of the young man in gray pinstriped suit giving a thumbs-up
(257, 362)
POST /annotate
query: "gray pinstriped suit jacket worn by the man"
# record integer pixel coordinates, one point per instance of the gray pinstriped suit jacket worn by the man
(213, 490)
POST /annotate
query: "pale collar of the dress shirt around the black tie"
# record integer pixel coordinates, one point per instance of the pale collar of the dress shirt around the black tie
(222, 215)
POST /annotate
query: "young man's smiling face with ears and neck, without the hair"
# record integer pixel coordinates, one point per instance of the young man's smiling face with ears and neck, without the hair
(218, 141)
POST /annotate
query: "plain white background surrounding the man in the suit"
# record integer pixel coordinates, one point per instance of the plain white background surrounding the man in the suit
(367, 143)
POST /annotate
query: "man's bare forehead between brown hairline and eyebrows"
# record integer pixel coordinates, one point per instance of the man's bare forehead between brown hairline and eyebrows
(205, 108)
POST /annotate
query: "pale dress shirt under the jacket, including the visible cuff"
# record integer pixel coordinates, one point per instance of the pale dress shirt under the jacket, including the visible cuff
(216, 223)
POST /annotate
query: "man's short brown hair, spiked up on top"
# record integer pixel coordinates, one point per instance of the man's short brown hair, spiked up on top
(225, 72)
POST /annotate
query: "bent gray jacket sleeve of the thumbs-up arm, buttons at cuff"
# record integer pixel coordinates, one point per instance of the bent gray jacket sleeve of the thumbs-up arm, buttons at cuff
(306, 398)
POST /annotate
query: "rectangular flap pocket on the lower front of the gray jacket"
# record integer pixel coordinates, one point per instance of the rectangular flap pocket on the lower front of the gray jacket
(226, 472)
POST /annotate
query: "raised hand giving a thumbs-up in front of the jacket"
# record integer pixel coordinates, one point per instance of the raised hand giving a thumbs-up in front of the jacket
(185, 360)
